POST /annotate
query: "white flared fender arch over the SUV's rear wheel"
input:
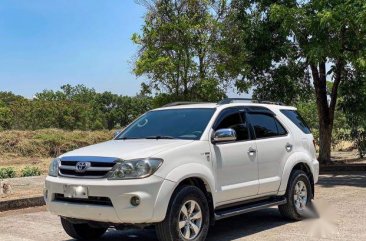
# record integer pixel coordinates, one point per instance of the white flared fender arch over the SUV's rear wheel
(292, 161)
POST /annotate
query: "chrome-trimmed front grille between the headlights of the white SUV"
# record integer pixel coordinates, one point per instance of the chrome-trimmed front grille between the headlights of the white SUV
(97, 167)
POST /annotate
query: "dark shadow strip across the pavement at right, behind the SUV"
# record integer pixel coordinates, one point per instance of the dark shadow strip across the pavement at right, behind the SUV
(354, 179)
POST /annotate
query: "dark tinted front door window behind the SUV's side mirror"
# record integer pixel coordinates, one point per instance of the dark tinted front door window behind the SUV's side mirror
(231, 118)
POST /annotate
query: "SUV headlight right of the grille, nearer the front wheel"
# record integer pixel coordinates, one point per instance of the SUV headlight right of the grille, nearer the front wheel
(132, 169)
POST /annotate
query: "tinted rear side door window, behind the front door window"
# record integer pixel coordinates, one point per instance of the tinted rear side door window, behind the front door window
(266, 126)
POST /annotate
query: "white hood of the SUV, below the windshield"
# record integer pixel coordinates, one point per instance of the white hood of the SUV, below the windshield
(128, 149)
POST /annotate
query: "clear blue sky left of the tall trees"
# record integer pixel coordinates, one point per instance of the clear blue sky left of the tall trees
(45, 44)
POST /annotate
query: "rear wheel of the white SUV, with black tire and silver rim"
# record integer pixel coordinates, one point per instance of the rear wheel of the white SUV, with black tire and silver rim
(298, 195)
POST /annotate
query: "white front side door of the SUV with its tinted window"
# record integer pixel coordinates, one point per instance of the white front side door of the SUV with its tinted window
(236, 162)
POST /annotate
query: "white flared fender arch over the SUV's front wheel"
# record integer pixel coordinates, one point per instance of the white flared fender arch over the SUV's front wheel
(174, 178)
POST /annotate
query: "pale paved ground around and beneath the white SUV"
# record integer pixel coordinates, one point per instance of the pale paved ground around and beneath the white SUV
(340, 198)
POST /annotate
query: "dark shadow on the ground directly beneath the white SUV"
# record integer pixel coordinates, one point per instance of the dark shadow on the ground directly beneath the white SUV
(224, 230)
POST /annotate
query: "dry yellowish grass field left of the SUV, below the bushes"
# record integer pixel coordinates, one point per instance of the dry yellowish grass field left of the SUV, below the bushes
(30, 152)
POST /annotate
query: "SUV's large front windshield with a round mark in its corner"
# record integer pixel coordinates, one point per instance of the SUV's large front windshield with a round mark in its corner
(186, 124)
